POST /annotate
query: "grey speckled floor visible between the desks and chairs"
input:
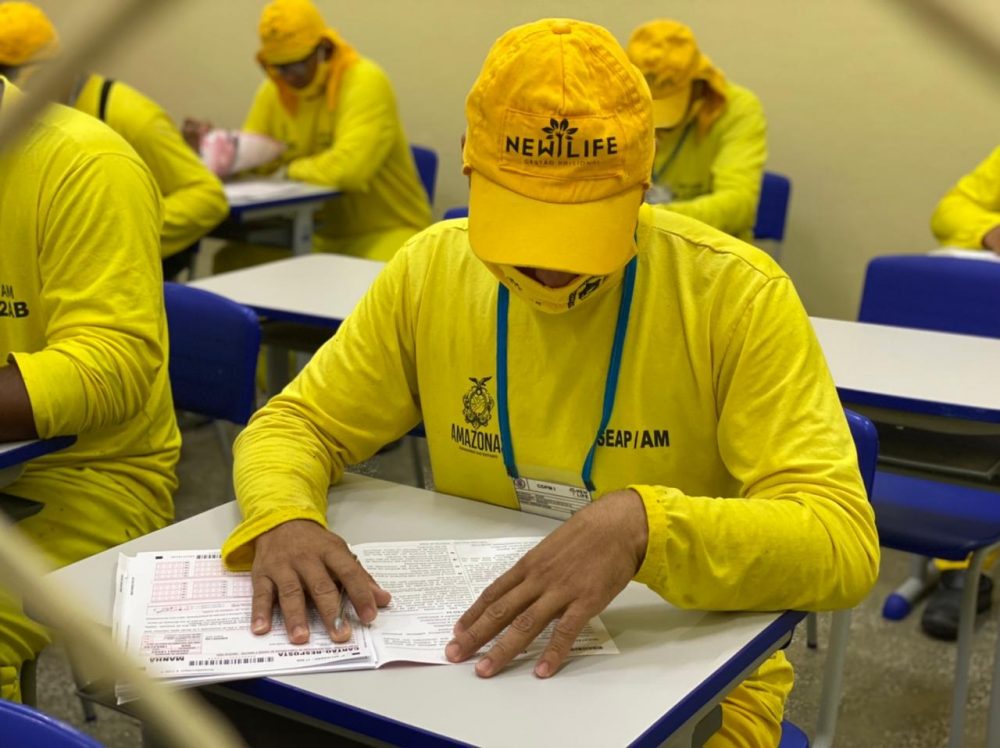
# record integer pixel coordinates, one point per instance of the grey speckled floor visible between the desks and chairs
(897, 681)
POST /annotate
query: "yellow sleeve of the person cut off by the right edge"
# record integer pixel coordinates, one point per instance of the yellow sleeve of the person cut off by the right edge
(971, 208)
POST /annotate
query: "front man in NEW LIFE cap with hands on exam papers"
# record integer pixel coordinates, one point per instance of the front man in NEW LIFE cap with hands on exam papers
(568, 333)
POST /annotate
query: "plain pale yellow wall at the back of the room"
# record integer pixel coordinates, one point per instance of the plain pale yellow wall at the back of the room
(875, 106)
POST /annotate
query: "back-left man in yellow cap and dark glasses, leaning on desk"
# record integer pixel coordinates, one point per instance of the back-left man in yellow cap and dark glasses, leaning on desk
(336, 113)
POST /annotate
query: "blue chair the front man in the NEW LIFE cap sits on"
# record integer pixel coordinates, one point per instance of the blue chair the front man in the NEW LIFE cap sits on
(866, 445)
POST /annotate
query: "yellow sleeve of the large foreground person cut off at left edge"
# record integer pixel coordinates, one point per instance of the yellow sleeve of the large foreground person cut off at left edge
(103, 306)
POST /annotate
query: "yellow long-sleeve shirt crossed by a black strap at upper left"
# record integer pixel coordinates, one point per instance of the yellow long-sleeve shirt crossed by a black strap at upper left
(193, 198)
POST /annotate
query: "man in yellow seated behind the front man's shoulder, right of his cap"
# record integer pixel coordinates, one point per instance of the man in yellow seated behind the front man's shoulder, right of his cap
(711, 135)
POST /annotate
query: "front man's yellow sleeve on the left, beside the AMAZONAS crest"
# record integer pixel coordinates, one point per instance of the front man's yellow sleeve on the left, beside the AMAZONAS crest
(358, 393)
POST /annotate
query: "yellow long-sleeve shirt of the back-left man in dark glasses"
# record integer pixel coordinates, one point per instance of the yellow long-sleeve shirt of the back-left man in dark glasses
(358, 147)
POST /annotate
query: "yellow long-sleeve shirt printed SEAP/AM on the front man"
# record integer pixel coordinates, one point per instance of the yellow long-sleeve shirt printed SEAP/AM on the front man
(726, 419)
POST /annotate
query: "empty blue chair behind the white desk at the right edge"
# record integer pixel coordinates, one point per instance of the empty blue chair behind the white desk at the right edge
(925, 515)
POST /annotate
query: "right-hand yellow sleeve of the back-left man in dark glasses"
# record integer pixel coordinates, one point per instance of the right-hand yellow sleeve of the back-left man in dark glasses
(363, 135)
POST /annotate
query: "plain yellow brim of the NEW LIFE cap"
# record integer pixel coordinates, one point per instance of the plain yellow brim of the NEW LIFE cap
(593, 238)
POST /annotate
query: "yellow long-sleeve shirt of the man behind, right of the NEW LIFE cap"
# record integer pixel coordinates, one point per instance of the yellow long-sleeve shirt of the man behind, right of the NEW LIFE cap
(716, 177)
